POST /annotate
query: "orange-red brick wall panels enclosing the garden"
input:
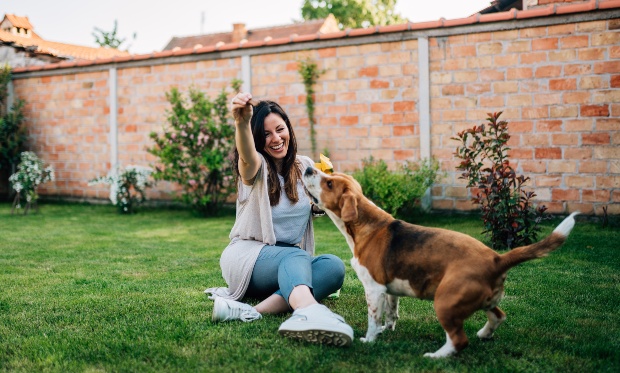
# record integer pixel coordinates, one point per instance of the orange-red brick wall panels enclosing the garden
(558, 86)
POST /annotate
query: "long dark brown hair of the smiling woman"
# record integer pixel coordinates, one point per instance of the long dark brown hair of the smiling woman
(290, 168)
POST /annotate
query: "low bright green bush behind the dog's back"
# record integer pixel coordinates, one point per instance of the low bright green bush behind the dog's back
(397, 192)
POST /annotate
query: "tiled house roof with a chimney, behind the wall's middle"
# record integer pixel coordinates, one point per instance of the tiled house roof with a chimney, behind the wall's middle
(325, 25)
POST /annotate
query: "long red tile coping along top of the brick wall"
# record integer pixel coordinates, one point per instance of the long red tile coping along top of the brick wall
(513, 14)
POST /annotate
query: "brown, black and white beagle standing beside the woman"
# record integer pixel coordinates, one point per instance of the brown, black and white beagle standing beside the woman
(393, 259)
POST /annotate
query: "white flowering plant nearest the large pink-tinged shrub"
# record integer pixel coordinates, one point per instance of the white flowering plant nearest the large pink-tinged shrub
(127, 187)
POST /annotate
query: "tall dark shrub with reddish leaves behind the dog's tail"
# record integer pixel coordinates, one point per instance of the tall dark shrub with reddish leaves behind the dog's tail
(510, 219)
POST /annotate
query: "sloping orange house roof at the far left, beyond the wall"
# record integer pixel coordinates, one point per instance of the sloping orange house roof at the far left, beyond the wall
(37, 44)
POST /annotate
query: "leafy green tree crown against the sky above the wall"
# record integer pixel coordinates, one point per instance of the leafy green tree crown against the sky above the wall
(353, 13)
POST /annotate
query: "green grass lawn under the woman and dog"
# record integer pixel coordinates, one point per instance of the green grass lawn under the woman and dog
(85, 289)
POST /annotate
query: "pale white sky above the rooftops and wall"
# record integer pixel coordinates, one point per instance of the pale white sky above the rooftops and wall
(155, 22)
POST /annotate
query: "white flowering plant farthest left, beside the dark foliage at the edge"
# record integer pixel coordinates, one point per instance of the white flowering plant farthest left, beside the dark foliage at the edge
(30, 174)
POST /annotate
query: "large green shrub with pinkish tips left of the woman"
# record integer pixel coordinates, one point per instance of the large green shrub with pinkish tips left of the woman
(194, 151)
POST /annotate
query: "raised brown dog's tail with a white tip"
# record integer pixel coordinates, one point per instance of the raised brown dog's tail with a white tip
(539, 249)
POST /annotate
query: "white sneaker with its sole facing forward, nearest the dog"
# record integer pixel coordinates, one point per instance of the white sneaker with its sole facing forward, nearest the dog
(317, 324)
